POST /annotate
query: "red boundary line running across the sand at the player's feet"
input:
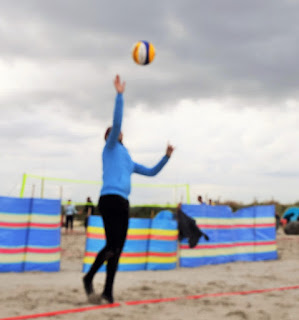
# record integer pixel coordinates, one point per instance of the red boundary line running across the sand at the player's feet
(150, 301)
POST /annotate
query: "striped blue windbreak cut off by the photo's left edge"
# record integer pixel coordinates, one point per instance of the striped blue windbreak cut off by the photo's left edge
(29, 234)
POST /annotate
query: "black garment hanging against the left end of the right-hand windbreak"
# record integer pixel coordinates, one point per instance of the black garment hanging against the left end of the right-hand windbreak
(188, 229)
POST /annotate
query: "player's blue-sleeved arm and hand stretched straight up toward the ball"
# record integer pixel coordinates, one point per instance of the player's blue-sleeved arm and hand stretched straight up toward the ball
(118, 112)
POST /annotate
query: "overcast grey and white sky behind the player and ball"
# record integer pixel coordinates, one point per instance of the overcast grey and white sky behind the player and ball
(223, 88)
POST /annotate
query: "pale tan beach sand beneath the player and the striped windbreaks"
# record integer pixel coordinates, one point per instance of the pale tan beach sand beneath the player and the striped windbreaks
(35, 292)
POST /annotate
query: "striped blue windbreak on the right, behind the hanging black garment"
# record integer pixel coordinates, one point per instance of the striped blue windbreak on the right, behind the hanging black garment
(246, 235)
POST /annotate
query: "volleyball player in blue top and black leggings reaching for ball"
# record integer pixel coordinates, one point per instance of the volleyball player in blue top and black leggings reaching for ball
(113, 203)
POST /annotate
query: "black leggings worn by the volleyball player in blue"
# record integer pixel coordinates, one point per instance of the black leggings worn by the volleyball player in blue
(115, 212)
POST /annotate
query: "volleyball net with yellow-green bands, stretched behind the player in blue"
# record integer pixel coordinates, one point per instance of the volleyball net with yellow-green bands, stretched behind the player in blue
(143, 194)
